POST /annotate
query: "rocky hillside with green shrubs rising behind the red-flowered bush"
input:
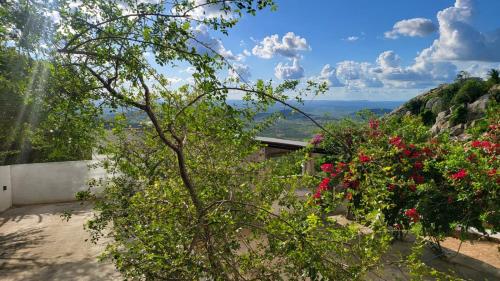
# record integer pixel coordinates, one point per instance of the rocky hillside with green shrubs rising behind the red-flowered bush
(453, 107)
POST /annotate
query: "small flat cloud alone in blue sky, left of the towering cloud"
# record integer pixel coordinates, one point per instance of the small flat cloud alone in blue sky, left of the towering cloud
(411, 27)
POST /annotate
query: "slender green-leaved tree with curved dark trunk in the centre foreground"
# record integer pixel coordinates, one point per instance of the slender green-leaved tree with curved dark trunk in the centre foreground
(186, 203)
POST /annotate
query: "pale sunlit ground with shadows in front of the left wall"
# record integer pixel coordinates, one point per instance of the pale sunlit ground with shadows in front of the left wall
(36, 244)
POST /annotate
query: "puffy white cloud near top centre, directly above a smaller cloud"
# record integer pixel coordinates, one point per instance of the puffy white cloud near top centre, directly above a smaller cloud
(289, 46)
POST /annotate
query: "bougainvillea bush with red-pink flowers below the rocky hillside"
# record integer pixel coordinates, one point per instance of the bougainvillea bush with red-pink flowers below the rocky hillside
(395, 167)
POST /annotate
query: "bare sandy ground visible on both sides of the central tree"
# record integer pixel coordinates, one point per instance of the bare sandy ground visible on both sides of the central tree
(36, 244)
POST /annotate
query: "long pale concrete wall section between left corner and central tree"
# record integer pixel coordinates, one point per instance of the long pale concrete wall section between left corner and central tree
(51, 182)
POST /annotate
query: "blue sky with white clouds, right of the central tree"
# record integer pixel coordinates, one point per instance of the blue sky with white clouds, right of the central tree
(363, 49)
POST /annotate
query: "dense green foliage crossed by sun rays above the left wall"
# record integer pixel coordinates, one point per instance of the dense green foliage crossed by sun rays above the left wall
(33, 100)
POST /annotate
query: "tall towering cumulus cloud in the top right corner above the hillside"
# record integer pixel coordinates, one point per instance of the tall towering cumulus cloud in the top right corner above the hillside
(459, 40)
